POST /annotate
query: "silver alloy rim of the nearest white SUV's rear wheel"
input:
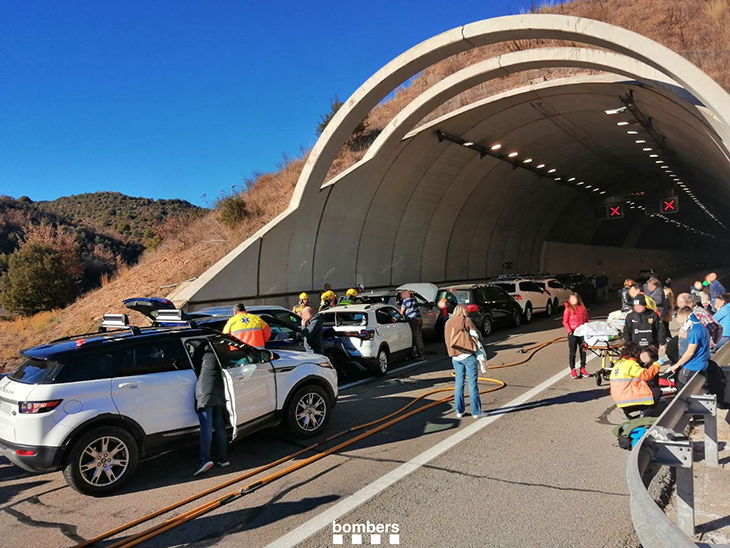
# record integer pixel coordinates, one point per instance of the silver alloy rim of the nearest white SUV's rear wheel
(104, 461)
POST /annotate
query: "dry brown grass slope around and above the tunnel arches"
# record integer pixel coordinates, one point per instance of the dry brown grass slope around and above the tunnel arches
(698, 29)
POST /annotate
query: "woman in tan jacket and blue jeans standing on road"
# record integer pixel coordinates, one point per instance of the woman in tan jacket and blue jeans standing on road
(463, 343)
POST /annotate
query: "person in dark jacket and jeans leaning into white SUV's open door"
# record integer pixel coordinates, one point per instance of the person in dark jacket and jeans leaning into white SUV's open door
(210, 404)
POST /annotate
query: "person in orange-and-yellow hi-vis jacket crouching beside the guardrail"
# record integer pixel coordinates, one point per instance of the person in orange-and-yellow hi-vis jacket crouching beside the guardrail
(630, 387)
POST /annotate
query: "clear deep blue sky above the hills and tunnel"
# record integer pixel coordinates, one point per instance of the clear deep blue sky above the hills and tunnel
(176, 99)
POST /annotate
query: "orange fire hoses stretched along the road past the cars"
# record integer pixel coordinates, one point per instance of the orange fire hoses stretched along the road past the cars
(377, 426)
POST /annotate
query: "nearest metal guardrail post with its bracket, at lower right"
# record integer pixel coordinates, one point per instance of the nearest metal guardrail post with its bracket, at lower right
(678, 455)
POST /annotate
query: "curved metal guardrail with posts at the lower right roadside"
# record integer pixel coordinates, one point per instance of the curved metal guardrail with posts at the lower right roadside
(652, 525)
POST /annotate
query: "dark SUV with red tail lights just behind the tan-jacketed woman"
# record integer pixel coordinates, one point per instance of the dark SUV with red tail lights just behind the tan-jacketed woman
(488, 305)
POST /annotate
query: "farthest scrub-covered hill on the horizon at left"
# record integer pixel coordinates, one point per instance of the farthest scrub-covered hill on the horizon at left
(117, 214)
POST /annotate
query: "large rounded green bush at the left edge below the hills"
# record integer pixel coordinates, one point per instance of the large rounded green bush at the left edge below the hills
(37, 279)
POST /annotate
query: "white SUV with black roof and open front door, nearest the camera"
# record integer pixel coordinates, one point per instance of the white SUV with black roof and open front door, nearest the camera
(94, 404)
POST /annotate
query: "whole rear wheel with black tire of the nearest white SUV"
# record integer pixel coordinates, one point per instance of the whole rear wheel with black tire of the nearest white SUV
(91, 460)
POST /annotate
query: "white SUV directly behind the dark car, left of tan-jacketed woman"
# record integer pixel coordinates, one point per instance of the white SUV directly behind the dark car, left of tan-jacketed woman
(374, 334)
